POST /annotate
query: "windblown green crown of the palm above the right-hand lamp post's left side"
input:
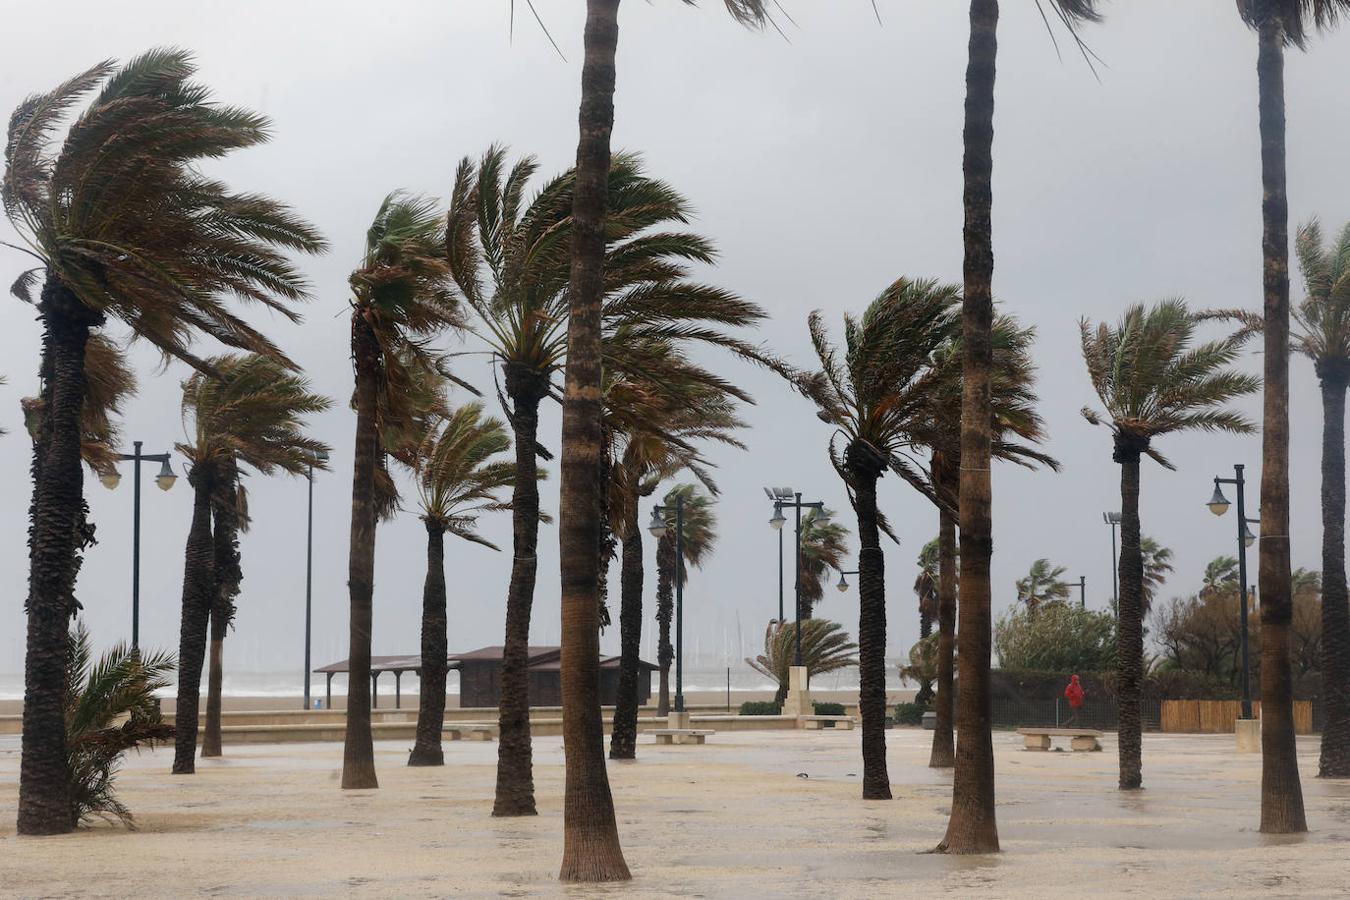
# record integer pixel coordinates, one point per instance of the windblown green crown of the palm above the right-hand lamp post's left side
(1154, 380)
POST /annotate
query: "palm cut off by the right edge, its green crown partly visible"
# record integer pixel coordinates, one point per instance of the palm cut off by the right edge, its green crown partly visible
(1325, 338)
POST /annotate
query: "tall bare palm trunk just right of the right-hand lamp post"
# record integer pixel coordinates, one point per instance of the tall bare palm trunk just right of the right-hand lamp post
(1282, 794)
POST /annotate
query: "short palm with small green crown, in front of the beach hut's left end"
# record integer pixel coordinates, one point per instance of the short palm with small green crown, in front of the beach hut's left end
(460, 474)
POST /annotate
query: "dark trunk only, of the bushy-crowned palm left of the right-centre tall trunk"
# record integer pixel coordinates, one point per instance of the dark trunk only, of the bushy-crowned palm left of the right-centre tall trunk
(871, 634)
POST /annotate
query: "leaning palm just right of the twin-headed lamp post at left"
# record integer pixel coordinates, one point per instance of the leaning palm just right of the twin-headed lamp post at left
(250, 412)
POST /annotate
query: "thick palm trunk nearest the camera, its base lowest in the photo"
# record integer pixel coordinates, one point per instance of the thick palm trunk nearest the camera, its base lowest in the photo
(591, 833)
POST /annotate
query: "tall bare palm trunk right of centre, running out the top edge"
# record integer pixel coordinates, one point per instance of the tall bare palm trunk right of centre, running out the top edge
(973, 828)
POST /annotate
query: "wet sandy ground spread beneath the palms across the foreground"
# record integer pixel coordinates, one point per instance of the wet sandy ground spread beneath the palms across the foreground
(749, 814)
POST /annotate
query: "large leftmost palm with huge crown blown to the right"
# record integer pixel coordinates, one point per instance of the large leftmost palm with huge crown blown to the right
(126, 227)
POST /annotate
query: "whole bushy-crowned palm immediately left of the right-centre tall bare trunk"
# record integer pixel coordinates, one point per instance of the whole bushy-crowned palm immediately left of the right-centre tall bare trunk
(874, 396)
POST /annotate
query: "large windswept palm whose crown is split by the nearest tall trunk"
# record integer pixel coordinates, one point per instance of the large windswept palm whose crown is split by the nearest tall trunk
(523, 314)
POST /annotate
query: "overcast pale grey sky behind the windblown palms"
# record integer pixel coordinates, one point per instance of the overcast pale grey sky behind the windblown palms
(824, 168)
